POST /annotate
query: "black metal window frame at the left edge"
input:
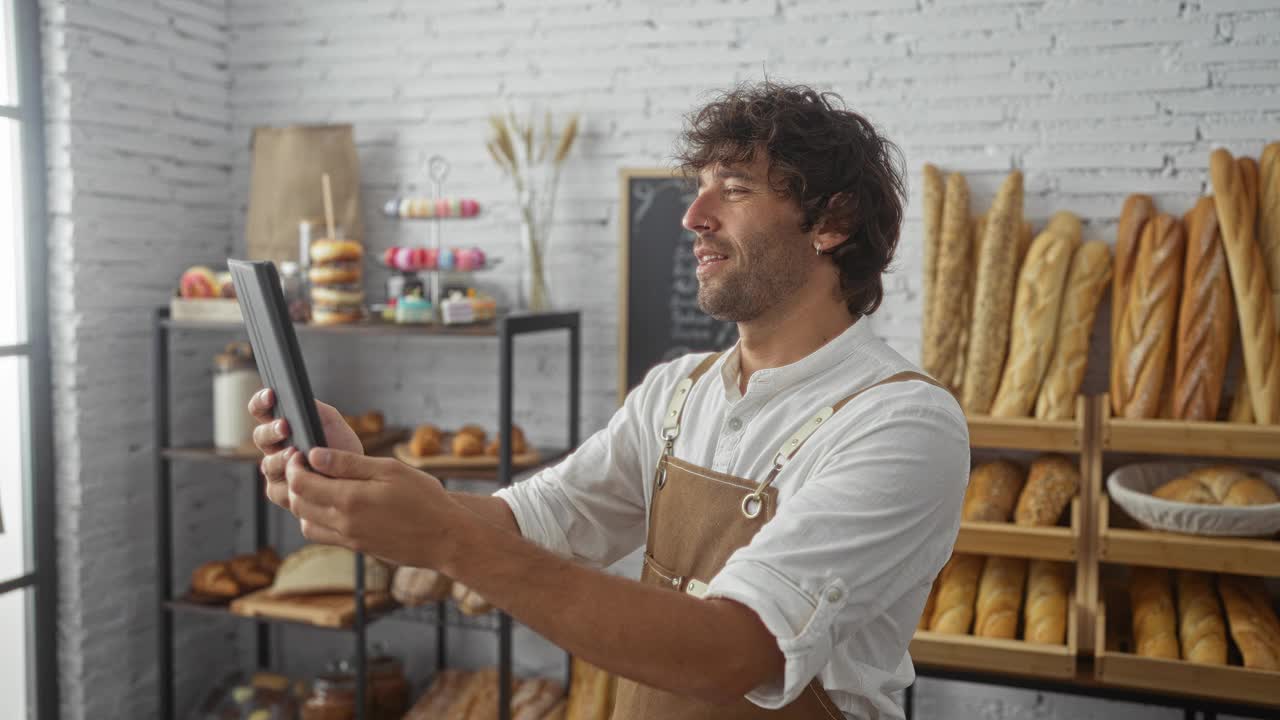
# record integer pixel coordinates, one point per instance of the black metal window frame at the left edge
(42, 552)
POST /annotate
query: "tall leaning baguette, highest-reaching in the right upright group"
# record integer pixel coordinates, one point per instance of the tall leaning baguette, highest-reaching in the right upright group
(1237, 211)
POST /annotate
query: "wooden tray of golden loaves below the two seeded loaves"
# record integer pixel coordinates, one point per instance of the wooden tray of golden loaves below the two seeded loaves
(979, 618)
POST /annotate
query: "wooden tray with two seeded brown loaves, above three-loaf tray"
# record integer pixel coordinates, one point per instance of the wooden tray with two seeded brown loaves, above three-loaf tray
(1011, 511)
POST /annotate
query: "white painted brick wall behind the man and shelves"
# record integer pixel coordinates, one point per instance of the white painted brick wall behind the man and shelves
(152, 104)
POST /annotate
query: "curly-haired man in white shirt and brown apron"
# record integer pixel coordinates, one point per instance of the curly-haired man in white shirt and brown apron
(799, 493)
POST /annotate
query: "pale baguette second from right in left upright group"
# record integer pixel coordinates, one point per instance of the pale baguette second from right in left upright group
(1037, 308)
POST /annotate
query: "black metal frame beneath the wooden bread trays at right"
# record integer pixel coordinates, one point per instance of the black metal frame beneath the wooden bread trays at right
(1191, 707)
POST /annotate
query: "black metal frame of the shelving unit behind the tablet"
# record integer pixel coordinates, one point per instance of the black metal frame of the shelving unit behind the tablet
(508, 330)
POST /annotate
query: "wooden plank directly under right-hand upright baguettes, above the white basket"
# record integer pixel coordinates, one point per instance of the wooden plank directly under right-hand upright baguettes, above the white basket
(1178, 438)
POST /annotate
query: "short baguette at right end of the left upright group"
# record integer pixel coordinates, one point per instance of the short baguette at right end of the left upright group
(1090, 274)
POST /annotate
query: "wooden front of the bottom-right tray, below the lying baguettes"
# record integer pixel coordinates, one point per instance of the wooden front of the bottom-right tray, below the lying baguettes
(1226, 682)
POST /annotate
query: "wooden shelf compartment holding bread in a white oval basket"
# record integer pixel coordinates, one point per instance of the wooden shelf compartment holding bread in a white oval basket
(1219, 518)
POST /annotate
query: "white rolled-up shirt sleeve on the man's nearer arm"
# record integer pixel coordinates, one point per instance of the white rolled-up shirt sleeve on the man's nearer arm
(875, 521)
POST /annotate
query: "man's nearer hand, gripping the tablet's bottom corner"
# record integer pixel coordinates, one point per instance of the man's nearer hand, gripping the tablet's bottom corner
(374, 505)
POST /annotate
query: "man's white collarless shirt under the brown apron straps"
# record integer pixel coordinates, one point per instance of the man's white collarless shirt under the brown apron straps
(868, 509)
